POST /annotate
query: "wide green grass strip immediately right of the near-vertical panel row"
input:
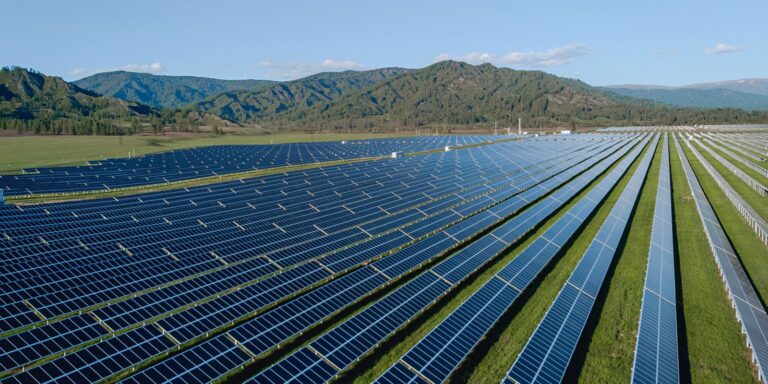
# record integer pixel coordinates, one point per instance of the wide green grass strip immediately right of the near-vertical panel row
(710, 336)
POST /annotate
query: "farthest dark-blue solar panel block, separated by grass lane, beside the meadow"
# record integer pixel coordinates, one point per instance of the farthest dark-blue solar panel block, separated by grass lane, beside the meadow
(186, 164)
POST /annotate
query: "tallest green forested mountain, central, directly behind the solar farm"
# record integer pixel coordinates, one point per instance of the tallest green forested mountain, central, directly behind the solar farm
(459, 93)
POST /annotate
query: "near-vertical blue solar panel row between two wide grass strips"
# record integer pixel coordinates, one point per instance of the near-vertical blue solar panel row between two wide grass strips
(656, 356)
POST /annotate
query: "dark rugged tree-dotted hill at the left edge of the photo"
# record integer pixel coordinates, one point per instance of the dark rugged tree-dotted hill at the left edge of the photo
(26, 95)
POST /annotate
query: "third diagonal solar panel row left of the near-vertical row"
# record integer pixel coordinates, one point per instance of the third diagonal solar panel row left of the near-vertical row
(357, 336)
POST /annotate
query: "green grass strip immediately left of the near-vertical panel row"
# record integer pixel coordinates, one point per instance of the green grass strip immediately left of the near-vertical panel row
(609, 354)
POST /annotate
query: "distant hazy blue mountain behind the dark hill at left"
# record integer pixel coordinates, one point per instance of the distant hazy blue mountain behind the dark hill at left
(162, 91)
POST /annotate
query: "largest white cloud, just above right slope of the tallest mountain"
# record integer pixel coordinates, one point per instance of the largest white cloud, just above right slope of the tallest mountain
(531, 59)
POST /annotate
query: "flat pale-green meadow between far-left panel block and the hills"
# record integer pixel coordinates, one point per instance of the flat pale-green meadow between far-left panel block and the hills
(21, 152)
